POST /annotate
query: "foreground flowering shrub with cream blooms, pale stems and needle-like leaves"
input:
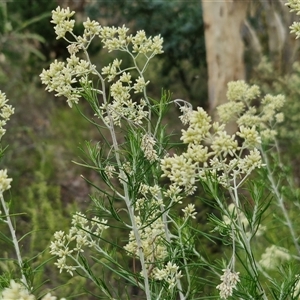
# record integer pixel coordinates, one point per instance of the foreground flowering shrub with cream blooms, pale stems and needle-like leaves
(161, 191)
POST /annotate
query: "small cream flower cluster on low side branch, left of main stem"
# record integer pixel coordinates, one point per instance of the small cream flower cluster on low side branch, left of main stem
(81, 235)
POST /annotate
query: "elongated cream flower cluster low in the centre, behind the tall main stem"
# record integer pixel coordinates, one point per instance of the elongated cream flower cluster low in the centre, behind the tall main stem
(153, 237)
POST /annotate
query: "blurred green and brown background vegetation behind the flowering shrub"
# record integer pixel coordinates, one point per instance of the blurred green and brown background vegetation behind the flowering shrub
(44, 135)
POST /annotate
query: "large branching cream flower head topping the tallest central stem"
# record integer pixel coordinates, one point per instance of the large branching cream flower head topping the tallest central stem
(68, 79)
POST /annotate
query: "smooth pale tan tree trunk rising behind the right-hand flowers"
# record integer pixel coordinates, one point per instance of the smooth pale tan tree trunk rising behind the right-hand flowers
(223, 21)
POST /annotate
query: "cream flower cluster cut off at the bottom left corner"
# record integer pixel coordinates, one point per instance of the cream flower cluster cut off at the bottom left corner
(16, 291)
